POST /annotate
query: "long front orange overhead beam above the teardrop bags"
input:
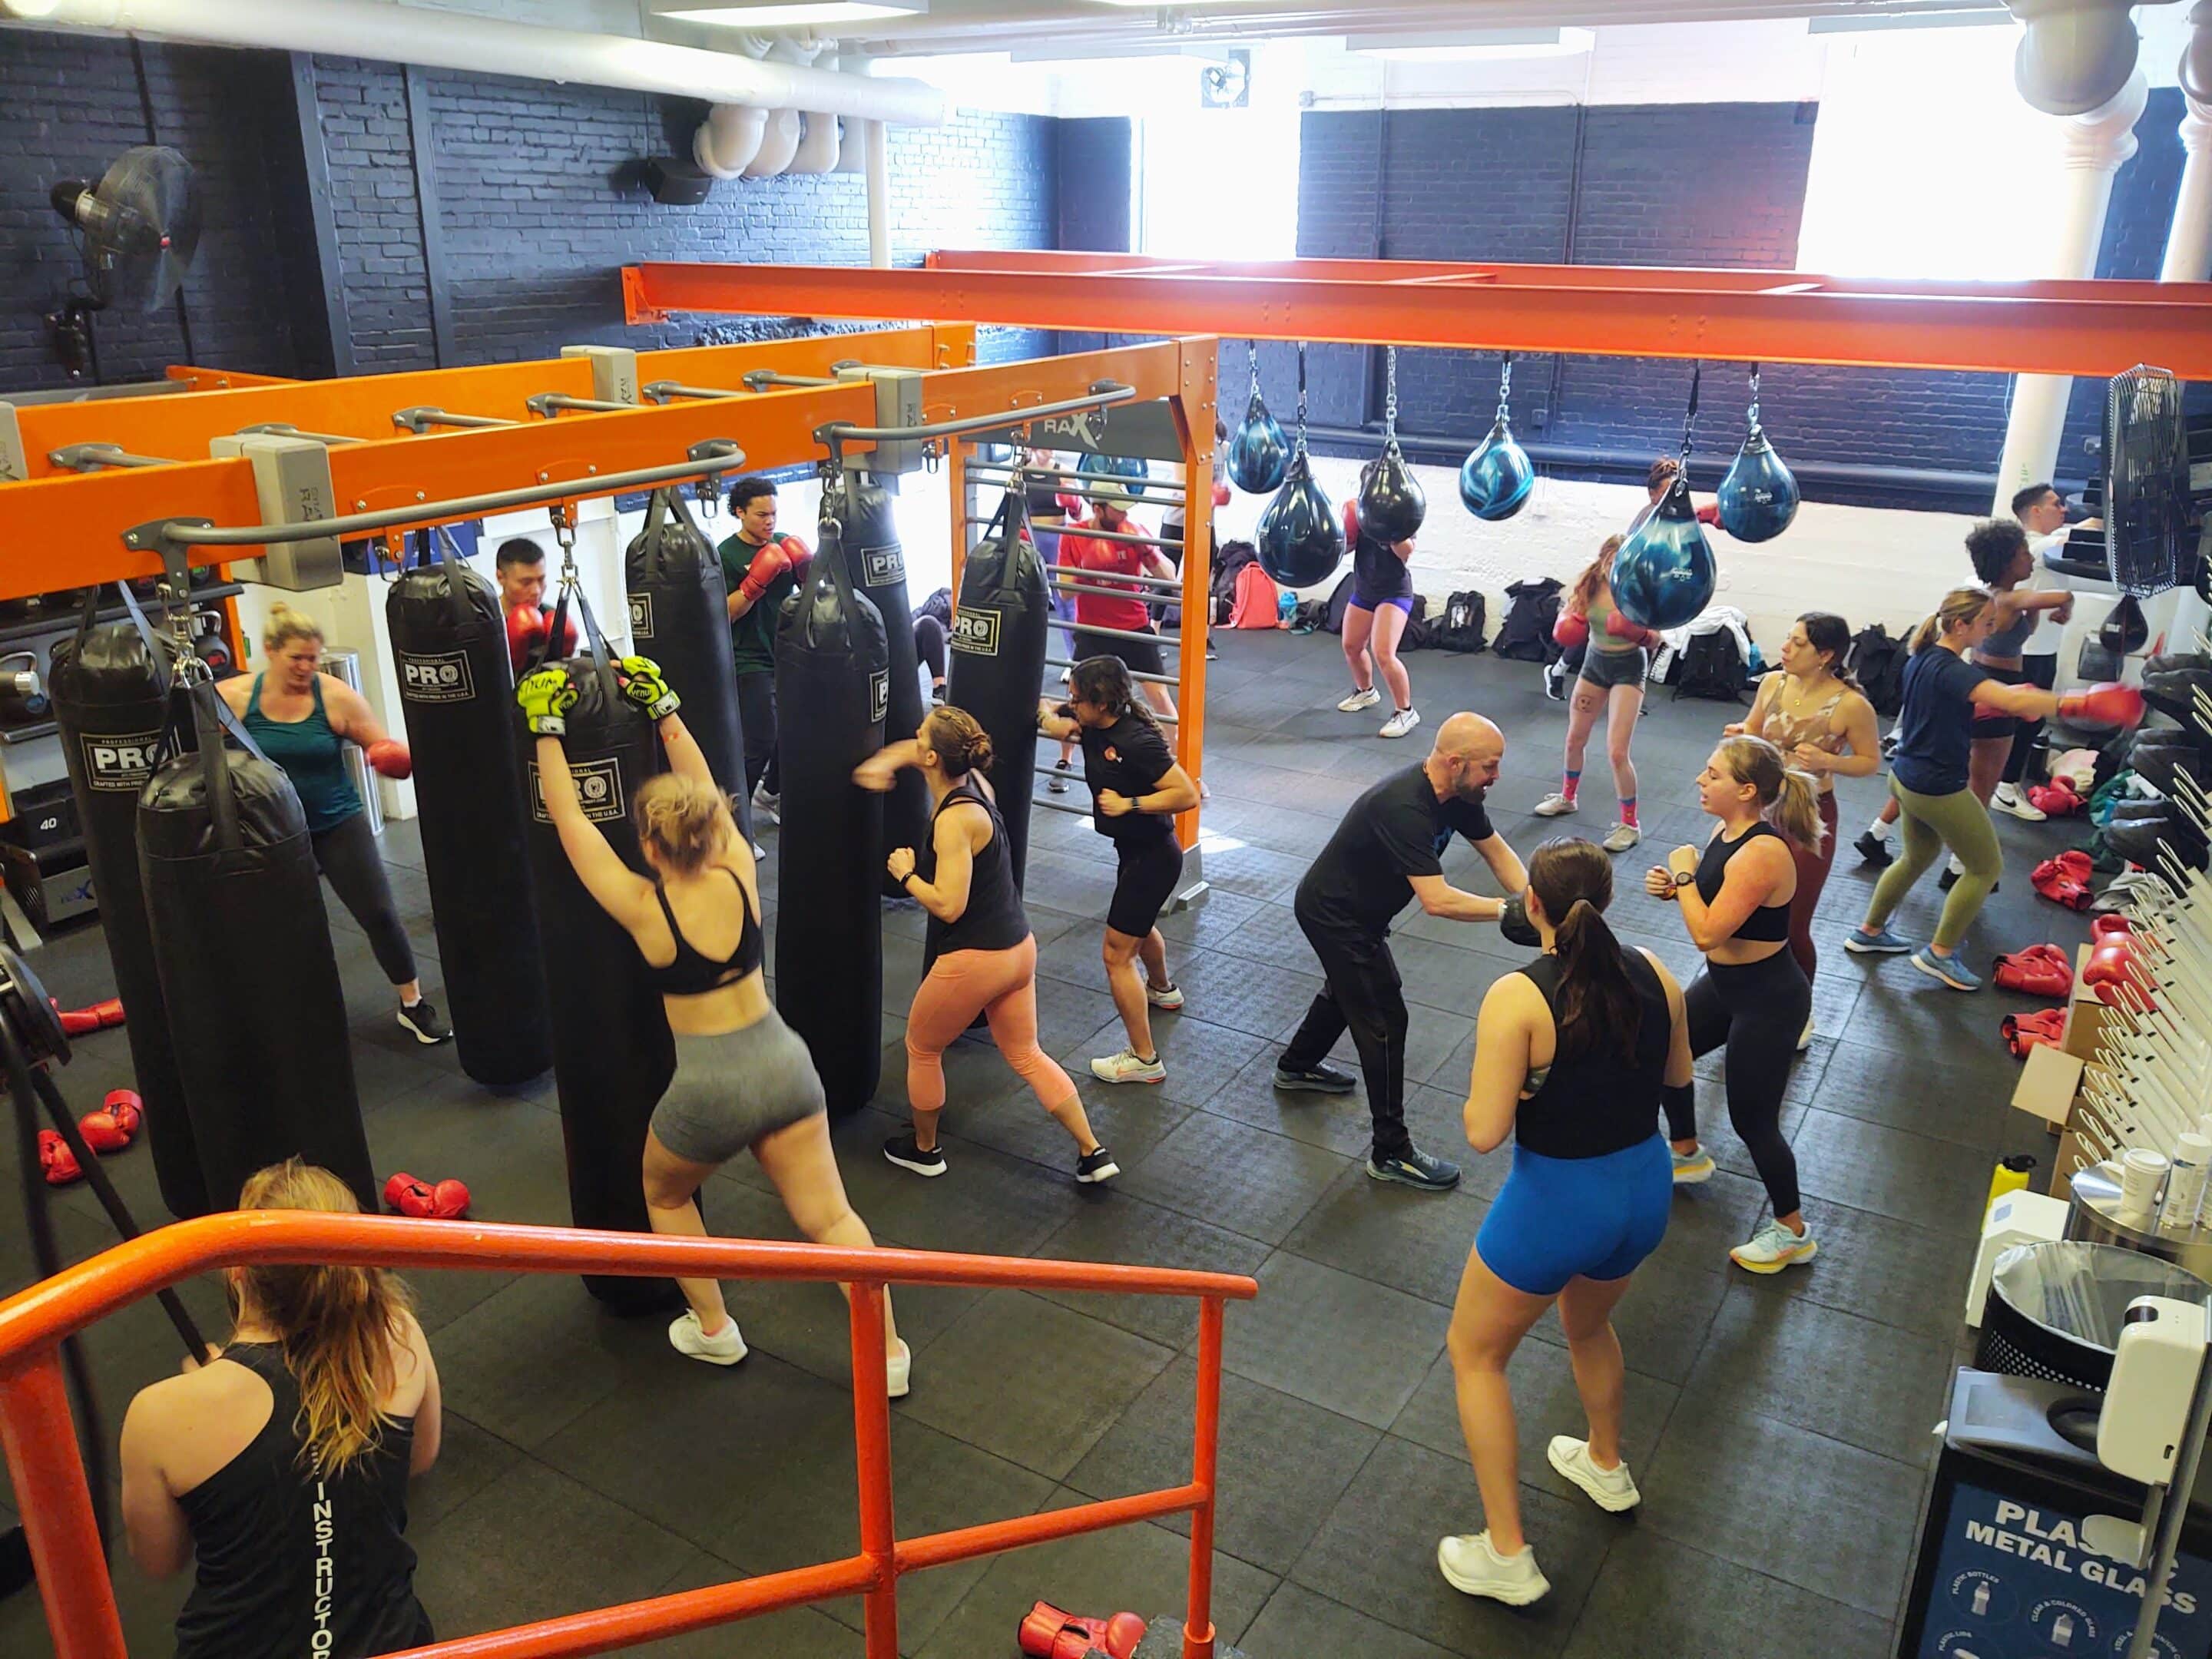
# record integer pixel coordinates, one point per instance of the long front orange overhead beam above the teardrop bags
(1764, 317)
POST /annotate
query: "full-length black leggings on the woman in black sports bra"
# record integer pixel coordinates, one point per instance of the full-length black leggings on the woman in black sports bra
(1757, 1010)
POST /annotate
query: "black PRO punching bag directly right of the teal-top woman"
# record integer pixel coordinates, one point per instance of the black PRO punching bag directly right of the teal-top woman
(450, 647)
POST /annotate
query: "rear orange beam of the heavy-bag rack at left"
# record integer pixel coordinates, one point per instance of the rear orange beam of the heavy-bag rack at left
(182, 426)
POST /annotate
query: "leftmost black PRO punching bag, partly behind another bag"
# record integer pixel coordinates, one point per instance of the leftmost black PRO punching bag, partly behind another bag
(109, 696)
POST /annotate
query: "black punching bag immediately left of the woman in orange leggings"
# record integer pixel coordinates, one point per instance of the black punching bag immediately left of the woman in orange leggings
(833, 687)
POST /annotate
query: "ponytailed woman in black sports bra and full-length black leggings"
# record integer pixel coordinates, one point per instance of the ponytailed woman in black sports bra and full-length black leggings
(1753, 994)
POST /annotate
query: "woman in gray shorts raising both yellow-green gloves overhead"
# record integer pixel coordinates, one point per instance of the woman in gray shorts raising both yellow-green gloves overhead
(744, 1081)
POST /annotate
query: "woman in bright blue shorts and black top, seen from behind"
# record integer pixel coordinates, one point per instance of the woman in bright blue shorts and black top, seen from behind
(1574, 1058)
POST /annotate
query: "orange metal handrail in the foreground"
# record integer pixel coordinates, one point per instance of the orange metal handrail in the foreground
(41, 1439)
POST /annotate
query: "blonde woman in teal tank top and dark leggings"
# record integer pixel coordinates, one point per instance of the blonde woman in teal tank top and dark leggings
(304, 720)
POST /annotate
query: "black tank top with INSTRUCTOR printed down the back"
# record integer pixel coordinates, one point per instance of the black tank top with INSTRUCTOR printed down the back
(293, 1563)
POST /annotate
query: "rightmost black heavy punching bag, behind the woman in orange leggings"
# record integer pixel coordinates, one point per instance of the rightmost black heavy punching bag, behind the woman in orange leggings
(999, 660)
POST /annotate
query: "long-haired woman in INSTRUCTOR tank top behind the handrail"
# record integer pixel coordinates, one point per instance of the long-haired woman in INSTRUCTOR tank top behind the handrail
(282, 1463)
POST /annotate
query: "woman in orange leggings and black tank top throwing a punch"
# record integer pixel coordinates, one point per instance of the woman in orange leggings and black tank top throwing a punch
(981, 950)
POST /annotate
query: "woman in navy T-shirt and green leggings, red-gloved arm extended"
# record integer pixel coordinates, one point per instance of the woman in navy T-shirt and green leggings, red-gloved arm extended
(1943, 693)
